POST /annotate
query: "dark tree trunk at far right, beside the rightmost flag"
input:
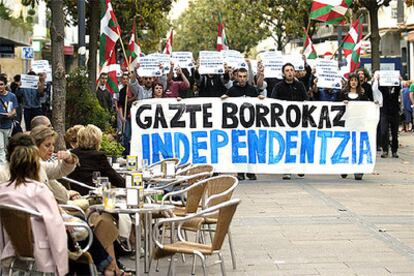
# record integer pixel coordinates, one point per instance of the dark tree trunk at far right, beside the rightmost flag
(375, 38)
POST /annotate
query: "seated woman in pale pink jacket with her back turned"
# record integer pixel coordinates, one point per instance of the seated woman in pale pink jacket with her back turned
(24, 189)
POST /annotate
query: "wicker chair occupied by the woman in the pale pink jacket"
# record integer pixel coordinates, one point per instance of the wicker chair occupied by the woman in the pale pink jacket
(17, 223)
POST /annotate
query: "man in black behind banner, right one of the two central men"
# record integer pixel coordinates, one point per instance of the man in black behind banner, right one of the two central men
(289, 89)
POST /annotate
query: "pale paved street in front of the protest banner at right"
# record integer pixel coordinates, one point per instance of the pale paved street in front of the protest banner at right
(324, 225)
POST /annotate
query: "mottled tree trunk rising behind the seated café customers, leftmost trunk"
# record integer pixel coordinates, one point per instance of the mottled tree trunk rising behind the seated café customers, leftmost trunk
(58, 68)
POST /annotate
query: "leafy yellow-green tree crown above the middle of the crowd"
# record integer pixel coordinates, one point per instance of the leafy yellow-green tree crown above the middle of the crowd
(196, 29)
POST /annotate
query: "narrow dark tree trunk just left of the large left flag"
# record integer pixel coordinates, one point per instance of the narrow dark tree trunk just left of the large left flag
(94, 8)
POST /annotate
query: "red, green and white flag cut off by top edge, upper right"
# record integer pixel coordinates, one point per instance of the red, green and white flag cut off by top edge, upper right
(329, 11)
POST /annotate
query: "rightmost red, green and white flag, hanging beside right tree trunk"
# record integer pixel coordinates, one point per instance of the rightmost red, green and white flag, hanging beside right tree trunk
(352, 46)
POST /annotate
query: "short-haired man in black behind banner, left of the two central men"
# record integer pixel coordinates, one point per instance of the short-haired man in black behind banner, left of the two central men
(239, 89)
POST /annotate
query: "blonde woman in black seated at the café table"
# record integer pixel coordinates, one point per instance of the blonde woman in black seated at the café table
(91, 159)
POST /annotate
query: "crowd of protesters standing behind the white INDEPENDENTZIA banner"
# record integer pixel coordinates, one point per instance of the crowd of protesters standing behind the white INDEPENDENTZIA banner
(237, 82)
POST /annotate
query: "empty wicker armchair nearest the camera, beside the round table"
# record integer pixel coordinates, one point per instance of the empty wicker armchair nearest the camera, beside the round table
(224, 212)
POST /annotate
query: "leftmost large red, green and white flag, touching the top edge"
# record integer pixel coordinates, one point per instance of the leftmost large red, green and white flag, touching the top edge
(110, 32)
